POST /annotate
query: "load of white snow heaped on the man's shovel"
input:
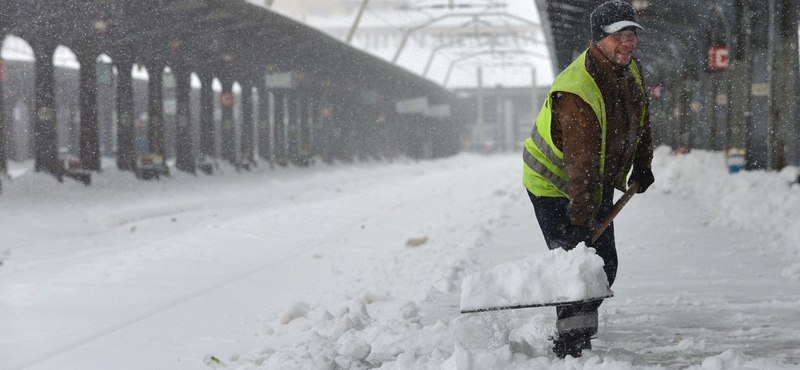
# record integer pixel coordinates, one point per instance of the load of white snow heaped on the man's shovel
(558, 276)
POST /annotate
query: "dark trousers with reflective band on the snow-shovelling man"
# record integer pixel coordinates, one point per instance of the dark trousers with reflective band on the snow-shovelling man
(553, 216)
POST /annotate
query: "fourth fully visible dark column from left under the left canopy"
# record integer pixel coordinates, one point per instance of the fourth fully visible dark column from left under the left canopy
(155, 109)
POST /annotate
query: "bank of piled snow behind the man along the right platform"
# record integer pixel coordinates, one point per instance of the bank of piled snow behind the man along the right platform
(764, 201)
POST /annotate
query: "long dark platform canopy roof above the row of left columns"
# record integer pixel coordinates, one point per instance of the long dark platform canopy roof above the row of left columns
(235, 40)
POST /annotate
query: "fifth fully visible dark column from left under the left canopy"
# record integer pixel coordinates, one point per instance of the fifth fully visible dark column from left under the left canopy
(185, 160)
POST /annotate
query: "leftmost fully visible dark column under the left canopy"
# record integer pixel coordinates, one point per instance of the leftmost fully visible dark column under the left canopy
(45, 139)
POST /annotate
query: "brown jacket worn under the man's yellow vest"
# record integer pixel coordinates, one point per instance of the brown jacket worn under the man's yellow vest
(576, 132)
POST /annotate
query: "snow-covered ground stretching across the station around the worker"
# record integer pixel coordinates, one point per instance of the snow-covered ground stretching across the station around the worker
(357, 266)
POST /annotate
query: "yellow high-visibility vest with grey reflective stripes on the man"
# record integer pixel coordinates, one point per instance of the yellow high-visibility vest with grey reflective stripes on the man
(543, 163)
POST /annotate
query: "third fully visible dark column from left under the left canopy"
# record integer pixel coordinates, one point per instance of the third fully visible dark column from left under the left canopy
(126, 158)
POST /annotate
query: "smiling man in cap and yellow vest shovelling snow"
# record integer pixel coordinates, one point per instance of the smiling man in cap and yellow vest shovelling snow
(593, 128)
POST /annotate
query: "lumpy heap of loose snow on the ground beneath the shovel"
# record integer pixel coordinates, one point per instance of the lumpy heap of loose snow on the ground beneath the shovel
(390, 336)
